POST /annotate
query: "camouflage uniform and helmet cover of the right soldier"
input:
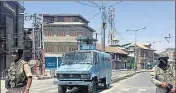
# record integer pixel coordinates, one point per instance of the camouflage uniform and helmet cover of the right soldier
(159, 75)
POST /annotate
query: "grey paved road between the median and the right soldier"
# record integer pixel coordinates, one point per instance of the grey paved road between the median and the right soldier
(139, 83)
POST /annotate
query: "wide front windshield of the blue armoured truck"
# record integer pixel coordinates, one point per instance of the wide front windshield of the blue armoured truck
(77, 58)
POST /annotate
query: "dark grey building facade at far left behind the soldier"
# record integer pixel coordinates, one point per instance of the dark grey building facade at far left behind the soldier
(11, 30)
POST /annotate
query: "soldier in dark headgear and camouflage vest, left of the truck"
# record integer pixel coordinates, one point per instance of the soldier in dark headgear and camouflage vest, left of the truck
(19, 76)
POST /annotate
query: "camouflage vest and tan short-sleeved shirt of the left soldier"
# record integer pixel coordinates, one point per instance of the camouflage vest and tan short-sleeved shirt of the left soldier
(17, 77)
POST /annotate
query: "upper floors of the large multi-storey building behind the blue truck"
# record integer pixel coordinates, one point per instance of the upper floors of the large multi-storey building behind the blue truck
(61, 30)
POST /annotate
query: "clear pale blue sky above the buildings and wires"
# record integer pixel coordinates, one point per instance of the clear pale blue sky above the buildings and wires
(157, 16)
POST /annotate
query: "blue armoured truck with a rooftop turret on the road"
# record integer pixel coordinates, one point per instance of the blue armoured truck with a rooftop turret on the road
(85, 69)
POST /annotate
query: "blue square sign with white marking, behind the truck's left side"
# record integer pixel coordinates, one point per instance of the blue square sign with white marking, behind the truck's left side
(50, 62)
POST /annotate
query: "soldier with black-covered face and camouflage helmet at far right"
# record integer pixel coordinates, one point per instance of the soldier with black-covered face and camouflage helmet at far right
(163, 75)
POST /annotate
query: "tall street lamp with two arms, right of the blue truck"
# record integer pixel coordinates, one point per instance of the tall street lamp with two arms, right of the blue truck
(135, 49)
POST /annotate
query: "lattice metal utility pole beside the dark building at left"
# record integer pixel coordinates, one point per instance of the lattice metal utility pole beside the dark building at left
(36, 40)
